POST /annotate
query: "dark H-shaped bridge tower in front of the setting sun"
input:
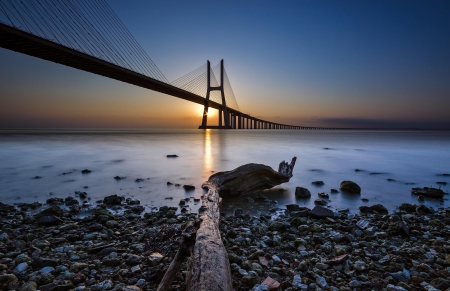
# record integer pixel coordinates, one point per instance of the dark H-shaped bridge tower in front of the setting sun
(222, 111)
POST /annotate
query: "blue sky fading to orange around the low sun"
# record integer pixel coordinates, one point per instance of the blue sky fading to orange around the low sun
(308, 63)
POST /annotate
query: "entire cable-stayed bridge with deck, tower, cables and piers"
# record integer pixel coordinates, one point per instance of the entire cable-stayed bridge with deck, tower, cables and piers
(89, 36)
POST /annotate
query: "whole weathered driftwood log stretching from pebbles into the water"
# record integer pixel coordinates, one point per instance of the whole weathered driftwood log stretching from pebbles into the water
(208, 265)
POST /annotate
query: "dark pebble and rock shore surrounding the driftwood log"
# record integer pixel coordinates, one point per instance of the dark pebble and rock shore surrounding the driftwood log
(116, 246)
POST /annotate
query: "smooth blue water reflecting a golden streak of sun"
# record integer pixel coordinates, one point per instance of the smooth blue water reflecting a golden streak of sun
(330, 156)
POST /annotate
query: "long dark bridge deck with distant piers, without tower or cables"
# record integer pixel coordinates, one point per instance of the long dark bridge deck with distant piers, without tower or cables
(32, 45)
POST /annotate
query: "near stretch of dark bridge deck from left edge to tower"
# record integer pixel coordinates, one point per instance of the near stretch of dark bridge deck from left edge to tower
(23, 42)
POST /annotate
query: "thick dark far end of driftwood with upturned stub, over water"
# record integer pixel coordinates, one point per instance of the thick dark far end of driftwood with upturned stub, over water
(250, 178)
